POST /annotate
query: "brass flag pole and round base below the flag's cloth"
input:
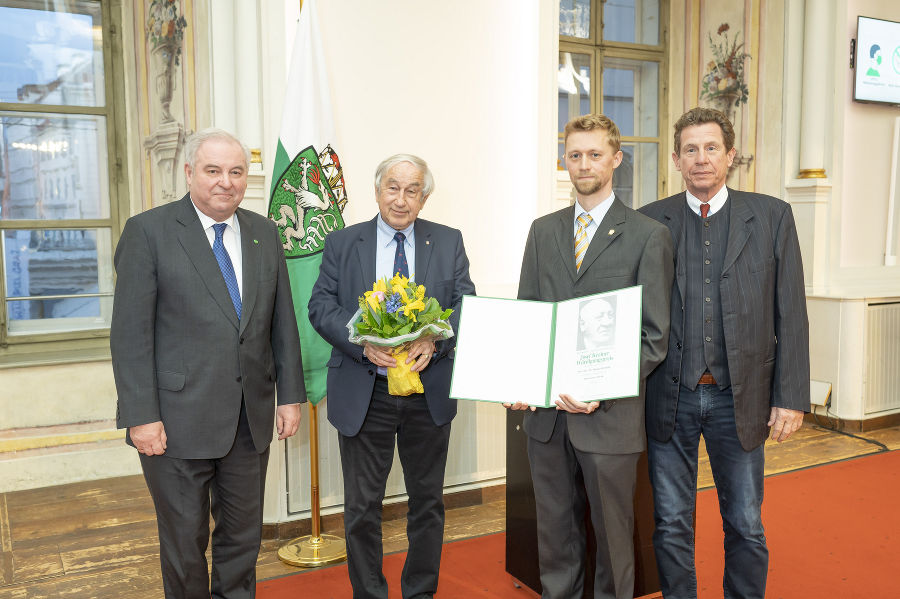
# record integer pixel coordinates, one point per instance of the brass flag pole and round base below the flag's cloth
(316, 549)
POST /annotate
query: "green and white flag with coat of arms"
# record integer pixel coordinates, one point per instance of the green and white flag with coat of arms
(308, 194)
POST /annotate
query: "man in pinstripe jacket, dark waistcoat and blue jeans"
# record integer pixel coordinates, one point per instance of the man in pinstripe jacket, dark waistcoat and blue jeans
(738, 360)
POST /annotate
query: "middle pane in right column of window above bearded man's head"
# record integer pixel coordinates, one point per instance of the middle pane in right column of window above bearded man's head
(631, 95)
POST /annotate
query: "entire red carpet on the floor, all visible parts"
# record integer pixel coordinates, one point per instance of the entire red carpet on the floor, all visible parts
(833, 532)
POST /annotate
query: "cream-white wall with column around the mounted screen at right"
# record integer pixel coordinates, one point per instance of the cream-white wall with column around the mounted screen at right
(842, 219)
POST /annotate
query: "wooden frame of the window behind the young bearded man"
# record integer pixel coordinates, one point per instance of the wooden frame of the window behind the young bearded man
(598, 49)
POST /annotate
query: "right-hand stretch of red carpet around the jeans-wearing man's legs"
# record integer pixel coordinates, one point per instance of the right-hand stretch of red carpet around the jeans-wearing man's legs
(833, 532)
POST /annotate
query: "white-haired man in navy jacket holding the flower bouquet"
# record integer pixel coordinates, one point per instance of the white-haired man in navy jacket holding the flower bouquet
(367, 417)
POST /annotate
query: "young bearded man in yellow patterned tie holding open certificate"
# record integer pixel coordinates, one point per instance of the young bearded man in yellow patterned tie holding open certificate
(588, 452)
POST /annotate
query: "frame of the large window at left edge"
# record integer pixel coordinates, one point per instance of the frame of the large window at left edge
(86, 344)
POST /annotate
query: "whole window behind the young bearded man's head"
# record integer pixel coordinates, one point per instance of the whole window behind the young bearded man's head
(612, 59)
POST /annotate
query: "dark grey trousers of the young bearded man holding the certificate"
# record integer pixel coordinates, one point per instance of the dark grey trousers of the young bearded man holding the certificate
(565, 481)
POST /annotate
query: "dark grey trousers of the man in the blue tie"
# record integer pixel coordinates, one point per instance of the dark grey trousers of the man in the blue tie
(184, 493)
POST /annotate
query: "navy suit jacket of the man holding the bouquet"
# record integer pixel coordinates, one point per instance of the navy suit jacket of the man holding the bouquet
(347, 271)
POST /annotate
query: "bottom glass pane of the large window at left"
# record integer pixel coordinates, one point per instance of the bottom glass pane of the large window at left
(69, 268)
